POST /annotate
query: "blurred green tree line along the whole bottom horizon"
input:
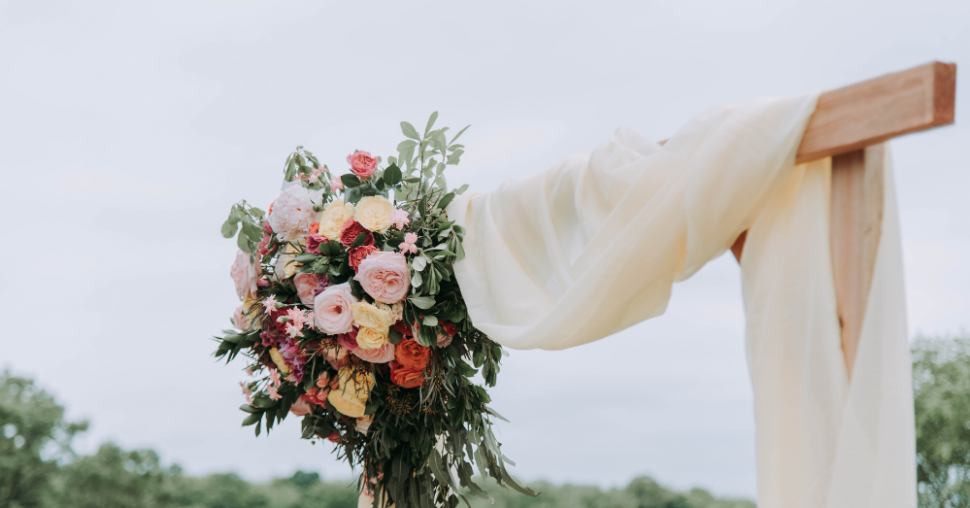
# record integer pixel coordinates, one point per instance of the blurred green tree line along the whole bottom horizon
(39, 469)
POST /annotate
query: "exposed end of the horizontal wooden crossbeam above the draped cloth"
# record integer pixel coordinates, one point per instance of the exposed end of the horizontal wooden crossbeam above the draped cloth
(870, 112)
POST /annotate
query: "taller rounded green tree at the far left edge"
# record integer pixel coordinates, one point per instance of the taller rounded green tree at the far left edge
(33, 437)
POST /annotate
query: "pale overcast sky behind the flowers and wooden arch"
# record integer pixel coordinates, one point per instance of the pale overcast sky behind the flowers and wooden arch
(128, 129)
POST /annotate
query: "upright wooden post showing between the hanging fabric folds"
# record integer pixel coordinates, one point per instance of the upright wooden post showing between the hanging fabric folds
(856, 226)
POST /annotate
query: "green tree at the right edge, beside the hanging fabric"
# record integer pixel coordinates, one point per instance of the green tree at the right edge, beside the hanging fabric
(941, 381)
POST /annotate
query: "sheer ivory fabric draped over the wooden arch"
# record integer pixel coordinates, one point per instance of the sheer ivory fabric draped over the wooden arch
(593, 244)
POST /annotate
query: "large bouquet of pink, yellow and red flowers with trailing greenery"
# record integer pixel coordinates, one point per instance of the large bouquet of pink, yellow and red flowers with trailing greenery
(352, 320)
